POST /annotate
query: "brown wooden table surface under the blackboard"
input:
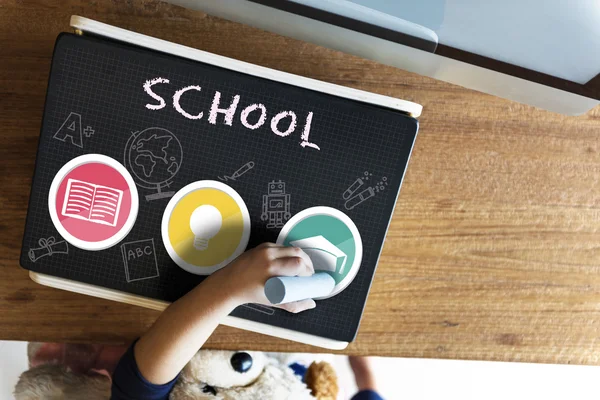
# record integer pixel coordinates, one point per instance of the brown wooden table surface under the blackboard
(494, 248)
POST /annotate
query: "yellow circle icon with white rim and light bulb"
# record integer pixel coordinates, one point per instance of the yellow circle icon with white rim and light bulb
(205, 226)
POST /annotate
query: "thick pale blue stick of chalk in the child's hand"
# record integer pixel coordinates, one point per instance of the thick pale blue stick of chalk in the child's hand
(286, 289)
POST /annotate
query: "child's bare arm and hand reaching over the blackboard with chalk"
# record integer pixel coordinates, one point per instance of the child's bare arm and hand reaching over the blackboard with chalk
(185, 325)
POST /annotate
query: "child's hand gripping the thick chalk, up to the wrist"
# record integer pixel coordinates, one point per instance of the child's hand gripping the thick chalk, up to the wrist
(246, 276)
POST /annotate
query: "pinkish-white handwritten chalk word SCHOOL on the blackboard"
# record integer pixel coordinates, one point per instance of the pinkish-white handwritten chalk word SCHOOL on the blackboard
(254, 112)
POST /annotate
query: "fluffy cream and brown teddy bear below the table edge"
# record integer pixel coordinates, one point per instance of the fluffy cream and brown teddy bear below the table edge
(210, 375)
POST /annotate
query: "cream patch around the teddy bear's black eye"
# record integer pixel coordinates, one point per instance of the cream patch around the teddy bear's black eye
(224, 369)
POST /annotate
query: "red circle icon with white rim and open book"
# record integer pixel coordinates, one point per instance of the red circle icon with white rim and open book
(93, 202)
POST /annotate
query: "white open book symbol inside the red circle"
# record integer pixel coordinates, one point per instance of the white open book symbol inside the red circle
(95, 203)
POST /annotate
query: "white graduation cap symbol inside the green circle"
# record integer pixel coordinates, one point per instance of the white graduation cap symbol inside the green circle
(324, 255)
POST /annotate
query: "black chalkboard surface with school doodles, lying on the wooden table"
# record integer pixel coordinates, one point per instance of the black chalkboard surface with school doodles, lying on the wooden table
(99, 86)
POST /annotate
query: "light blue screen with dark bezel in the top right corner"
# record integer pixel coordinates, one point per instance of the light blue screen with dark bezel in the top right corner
(554, 47)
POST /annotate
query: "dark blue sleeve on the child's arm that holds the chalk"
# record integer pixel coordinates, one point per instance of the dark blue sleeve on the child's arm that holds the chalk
(129, 384)
